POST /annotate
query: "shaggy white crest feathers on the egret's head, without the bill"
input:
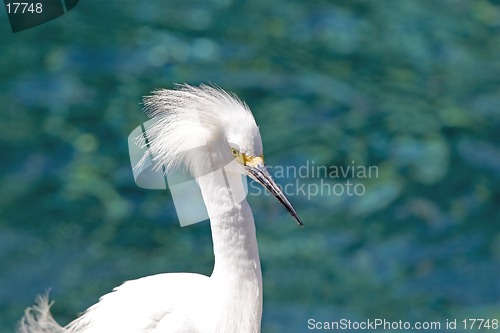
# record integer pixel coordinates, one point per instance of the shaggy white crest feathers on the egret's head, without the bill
(189, 119)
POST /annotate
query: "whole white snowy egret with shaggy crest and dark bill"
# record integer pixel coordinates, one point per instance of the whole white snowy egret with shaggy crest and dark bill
(230, 300)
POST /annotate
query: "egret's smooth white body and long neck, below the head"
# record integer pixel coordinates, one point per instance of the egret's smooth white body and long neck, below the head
(193, 303)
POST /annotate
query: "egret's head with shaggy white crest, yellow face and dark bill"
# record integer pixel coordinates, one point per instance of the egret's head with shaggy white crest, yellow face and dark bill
(204, 129)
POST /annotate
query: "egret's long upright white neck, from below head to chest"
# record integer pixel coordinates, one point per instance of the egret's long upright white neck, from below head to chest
(237, 276)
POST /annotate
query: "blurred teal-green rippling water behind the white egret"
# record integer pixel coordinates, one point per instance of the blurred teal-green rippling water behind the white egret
(411, 87)
